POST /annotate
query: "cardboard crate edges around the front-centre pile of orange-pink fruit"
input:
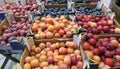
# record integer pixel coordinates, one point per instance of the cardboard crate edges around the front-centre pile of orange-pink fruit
(30, 42)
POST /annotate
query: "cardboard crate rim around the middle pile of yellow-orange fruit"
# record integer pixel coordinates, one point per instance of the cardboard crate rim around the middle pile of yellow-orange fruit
(33, 34)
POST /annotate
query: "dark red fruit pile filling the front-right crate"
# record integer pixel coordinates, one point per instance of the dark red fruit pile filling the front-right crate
(103, 49)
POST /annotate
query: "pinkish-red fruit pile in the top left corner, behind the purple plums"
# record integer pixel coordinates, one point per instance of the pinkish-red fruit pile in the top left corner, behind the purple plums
(21, 10)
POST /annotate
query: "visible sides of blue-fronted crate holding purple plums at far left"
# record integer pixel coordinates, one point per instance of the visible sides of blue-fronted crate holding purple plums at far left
(14, 46)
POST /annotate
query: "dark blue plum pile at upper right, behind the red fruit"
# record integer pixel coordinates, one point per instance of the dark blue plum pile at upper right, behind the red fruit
(87, 11)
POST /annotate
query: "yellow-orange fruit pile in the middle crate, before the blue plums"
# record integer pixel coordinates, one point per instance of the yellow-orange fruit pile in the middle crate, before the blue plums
(49, 27)
